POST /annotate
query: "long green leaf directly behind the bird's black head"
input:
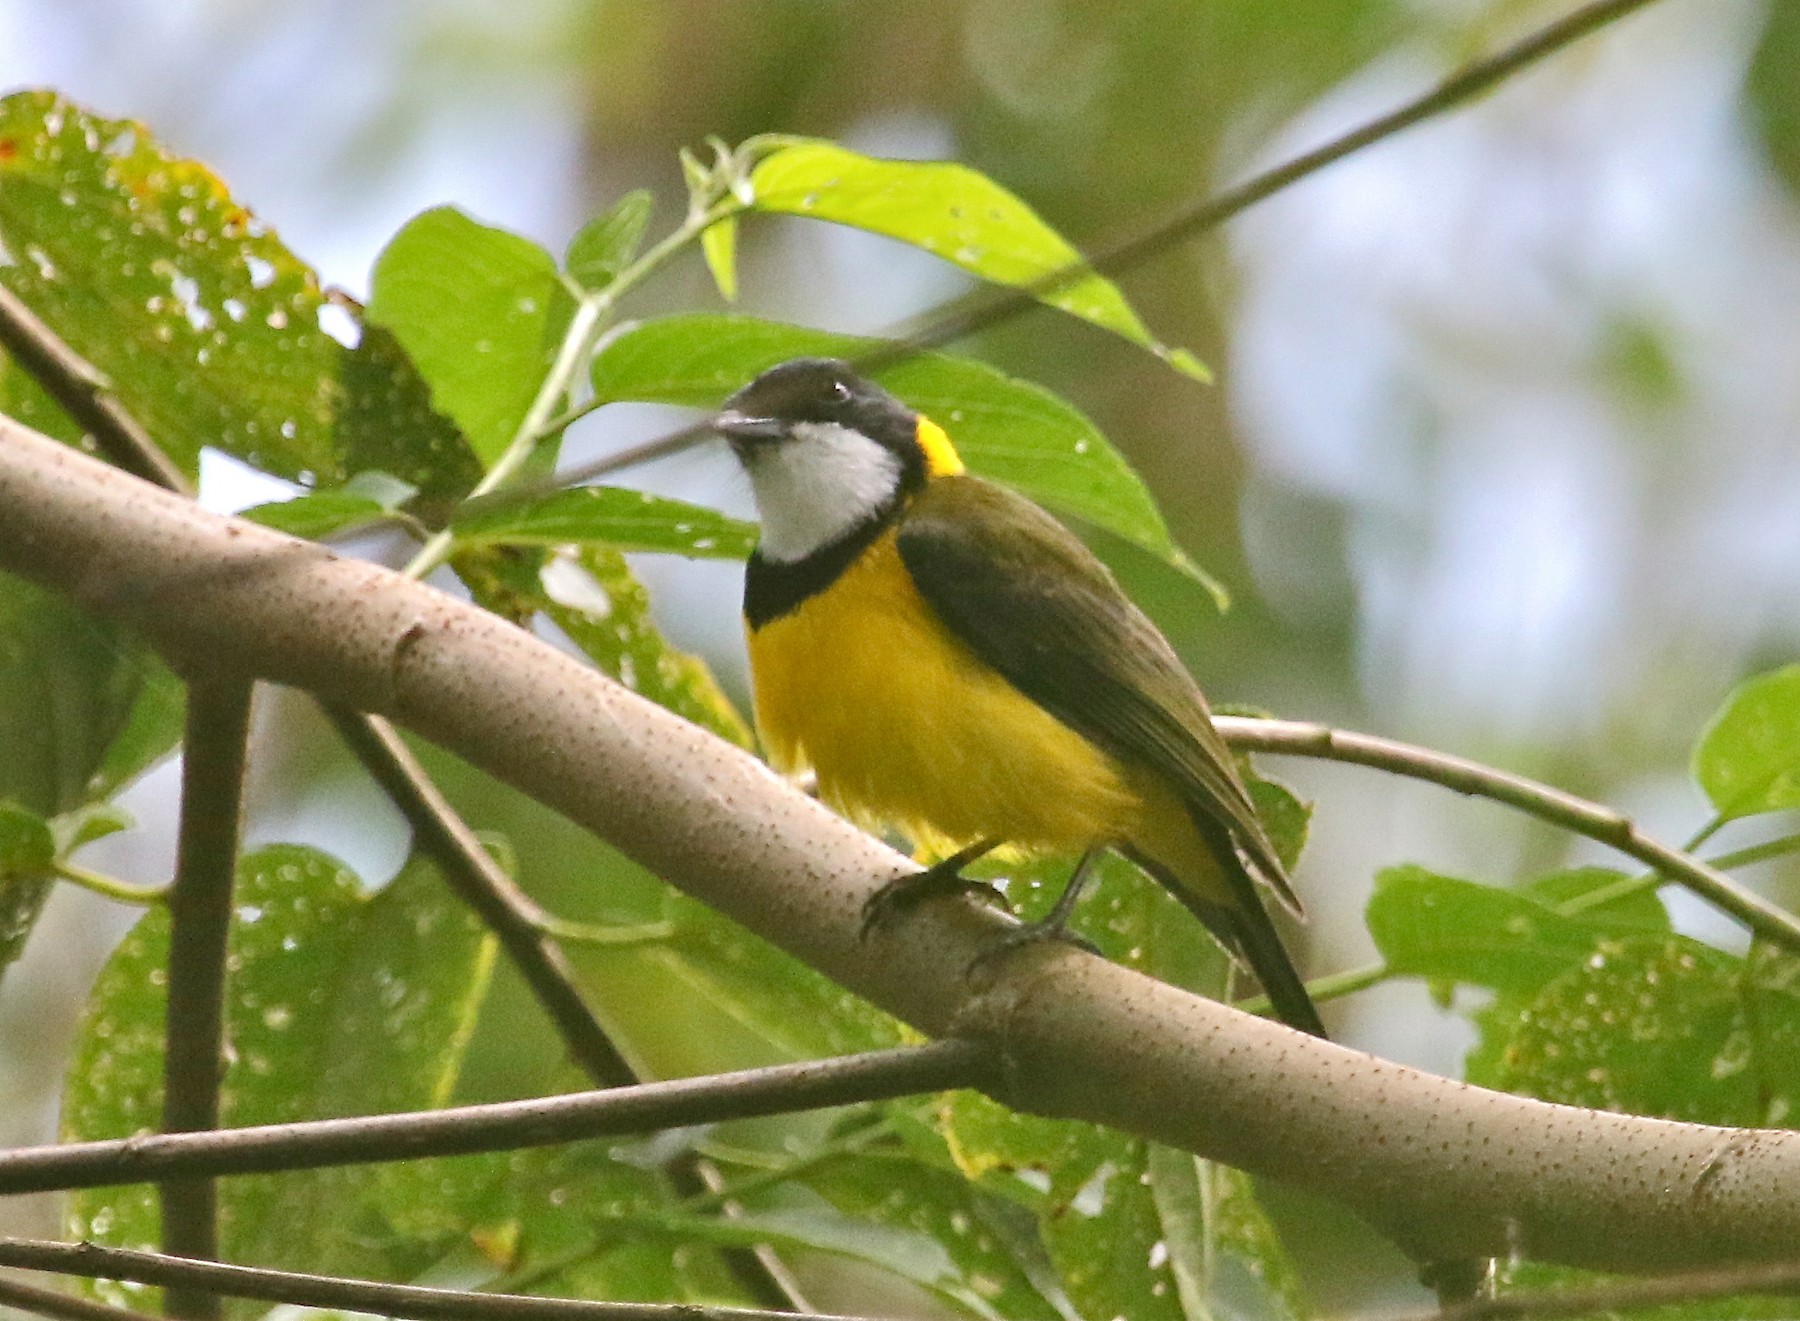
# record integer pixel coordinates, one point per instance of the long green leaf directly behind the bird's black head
(1005, 429)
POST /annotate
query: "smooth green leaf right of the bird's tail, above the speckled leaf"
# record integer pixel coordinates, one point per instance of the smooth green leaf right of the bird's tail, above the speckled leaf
(1430, 926)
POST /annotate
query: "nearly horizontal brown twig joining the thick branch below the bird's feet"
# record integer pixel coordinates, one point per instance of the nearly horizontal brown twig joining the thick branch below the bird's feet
(501, 1126)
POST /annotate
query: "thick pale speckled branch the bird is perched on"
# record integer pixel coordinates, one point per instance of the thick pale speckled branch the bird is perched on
(1450, 1171)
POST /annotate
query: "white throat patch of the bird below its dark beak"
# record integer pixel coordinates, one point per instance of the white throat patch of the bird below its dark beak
(818, 485)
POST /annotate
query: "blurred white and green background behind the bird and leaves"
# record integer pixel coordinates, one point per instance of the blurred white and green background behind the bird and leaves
(1502, 456)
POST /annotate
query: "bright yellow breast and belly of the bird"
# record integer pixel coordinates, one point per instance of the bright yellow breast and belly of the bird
(906, 728)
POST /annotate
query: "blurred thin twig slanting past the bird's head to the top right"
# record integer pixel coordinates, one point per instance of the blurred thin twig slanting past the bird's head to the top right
(993, 307)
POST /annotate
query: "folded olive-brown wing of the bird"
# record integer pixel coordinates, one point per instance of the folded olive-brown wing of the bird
(1020, 591)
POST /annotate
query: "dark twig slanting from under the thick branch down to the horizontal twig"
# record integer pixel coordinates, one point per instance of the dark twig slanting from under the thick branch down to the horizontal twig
(485, 886)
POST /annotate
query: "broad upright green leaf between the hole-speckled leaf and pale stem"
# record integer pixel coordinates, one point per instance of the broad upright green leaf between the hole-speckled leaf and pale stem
(481, 312)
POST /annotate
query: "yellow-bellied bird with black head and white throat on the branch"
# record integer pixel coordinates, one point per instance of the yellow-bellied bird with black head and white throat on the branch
(953, 663)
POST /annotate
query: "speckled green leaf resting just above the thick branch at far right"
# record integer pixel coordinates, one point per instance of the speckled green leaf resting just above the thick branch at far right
(1662, 1027)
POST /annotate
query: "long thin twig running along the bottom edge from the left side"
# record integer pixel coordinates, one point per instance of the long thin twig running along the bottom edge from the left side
(354, 1295)
